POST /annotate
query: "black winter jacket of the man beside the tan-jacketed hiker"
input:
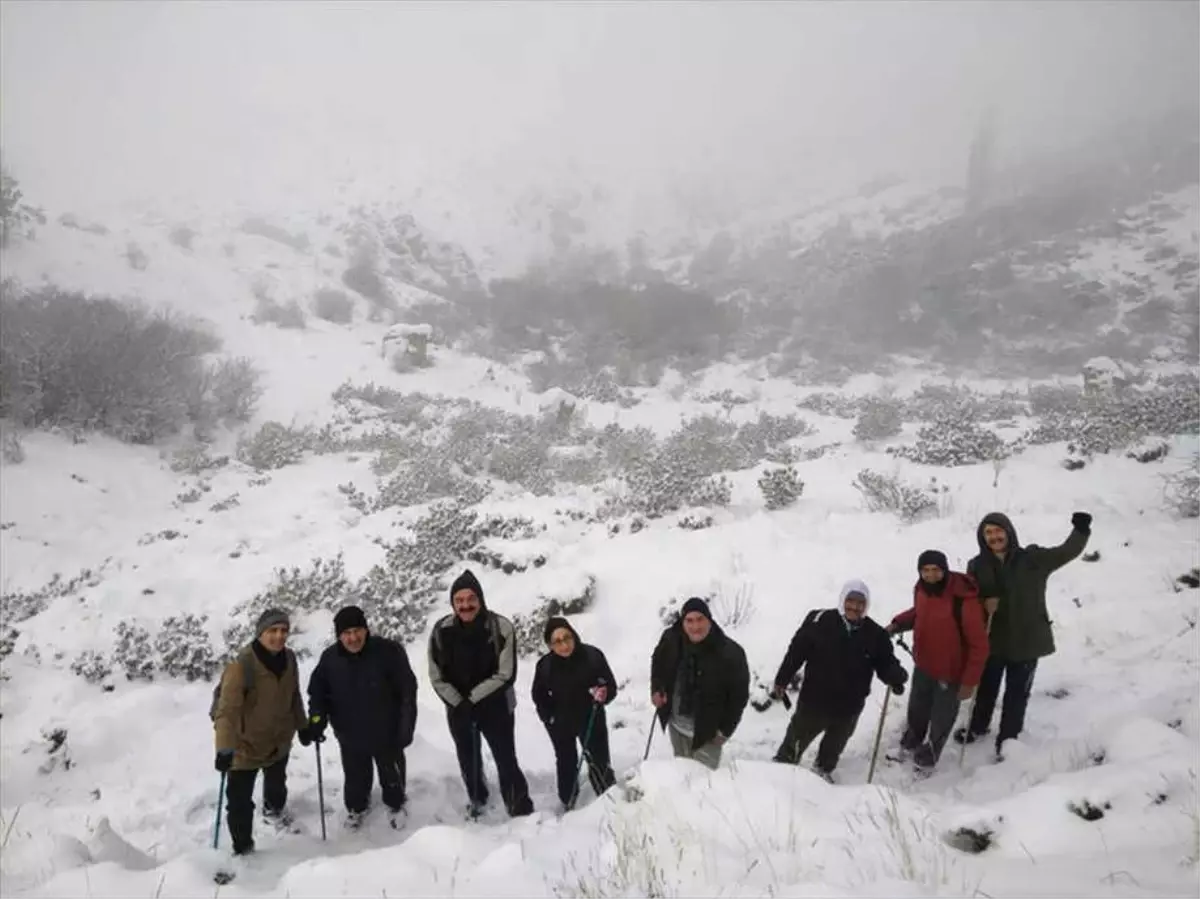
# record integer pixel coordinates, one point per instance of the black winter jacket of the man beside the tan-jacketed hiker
(370, 697)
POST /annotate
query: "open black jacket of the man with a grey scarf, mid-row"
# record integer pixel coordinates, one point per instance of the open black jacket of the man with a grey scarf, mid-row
(723, 681)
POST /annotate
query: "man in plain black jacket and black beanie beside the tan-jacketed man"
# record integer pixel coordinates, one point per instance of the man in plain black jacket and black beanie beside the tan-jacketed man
(365, 688)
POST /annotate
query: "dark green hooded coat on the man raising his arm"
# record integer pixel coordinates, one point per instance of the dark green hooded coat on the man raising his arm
(1021, 628)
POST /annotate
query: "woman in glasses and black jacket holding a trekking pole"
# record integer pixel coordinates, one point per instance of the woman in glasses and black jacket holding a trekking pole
(572, 686)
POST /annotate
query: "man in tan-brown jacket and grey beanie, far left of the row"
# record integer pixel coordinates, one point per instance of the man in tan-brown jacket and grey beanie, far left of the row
(259, 711)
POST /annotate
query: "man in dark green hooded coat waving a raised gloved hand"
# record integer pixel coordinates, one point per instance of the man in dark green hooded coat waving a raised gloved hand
(1013, 582)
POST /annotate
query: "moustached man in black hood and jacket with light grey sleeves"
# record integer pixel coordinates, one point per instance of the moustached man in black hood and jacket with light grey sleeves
(473, 667)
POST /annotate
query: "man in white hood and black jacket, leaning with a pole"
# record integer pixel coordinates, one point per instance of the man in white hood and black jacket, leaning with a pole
(841, 650)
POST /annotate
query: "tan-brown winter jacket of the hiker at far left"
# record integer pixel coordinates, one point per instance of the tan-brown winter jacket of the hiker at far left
(259, 724)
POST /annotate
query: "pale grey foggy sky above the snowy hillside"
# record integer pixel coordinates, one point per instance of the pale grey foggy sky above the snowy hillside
(257, 104)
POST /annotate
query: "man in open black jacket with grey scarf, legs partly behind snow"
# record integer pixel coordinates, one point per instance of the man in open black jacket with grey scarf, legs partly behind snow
(700, 684)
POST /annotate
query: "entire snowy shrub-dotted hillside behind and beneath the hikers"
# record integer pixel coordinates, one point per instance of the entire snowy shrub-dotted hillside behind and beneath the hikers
(741, 418)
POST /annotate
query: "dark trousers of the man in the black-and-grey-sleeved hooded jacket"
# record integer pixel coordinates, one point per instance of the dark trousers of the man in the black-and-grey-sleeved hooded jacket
(497, 726)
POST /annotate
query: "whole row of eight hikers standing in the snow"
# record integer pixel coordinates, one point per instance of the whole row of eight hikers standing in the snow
(971, 632)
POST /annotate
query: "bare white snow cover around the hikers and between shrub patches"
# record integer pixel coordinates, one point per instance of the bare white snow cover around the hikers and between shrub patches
(124, 804)
